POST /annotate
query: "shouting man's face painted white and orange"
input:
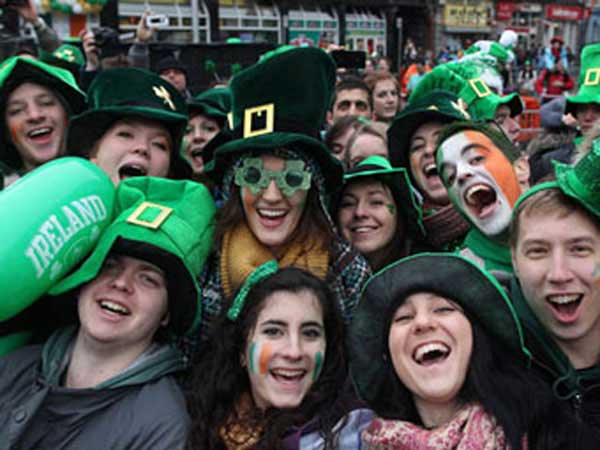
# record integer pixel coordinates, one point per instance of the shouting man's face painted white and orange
(481, 181)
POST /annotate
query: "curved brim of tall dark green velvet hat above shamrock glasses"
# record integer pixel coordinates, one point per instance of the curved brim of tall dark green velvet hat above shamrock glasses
(331, 167)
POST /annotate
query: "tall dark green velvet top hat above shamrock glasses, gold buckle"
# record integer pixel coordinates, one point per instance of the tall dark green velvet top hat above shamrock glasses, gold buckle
(281, 101)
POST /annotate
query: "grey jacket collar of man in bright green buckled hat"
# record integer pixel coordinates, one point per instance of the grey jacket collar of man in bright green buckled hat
(56, 355)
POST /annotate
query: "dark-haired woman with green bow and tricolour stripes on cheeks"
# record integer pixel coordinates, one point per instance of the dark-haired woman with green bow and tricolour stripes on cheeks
(275, 368)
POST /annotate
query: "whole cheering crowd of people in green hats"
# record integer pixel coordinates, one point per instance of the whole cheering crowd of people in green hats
(297, 258)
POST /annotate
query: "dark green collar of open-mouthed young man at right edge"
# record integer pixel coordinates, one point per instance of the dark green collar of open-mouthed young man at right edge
(566, 380)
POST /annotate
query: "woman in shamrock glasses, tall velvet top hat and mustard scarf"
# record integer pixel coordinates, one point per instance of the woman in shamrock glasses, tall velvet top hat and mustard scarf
(276, 175)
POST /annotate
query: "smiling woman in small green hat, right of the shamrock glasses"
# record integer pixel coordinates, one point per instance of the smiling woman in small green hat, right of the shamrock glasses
(378, 213)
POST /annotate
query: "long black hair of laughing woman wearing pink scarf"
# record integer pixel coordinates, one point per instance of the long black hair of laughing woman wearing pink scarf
(495, 378)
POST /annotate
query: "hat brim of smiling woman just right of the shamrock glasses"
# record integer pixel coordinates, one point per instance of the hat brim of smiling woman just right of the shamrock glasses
(399, 183)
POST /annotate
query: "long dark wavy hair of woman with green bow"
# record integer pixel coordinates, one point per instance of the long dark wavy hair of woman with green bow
(218, 380)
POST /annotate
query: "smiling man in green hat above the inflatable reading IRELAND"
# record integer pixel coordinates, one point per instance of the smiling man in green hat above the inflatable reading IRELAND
(37, 100)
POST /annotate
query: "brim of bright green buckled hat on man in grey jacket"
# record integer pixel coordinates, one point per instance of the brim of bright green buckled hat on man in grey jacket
(184, 311)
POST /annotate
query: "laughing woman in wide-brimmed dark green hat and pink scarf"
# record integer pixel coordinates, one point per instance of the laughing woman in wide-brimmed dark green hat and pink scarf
(438, 353)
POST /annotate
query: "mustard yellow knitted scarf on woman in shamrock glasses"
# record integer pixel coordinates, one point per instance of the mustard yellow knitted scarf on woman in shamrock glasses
(241, 253)
